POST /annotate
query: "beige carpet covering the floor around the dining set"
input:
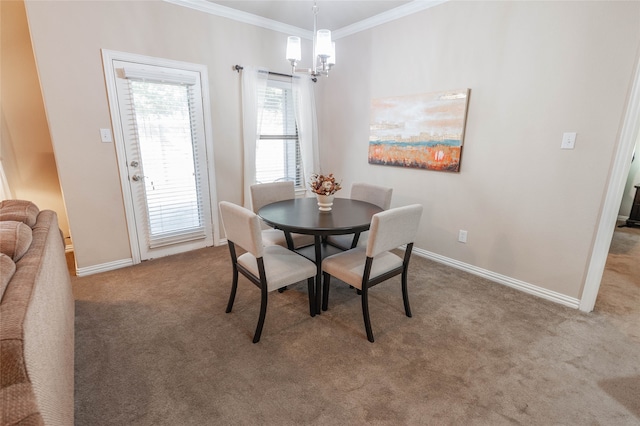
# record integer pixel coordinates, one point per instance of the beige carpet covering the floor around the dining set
(154, 346)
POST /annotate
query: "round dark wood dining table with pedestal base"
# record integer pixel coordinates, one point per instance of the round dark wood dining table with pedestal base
(303, 216)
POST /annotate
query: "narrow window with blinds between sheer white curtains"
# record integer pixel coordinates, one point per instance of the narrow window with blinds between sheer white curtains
(278, 148)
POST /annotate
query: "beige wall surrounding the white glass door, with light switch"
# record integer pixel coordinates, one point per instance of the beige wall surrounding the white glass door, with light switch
(68, 38)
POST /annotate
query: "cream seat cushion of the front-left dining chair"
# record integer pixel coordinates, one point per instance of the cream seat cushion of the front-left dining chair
(282, 266)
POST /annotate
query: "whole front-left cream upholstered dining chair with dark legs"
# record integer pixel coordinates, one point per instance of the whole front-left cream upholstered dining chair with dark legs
(268, 267)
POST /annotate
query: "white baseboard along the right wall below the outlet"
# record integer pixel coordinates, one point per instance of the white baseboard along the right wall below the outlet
(523, 286)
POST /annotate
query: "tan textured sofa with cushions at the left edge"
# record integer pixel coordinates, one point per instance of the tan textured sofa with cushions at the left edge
(36, 318)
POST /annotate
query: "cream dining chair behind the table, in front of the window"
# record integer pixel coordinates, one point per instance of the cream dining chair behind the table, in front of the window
(267, 193)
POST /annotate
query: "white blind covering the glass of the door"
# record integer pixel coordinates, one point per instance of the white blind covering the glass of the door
(162, 117)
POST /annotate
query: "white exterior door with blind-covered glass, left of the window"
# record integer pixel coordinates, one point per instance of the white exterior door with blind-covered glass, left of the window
(163, 155)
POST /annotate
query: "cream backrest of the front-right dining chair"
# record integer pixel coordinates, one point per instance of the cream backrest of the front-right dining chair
(393, 228)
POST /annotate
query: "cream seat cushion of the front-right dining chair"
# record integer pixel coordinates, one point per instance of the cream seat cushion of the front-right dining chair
(349, 266)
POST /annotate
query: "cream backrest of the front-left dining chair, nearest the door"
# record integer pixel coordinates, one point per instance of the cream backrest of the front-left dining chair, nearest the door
(242, 227)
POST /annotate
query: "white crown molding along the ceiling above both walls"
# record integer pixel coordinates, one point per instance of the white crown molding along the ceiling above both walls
(249, 18)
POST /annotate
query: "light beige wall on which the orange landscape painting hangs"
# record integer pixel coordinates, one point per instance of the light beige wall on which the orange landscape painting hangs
(535, 70)
